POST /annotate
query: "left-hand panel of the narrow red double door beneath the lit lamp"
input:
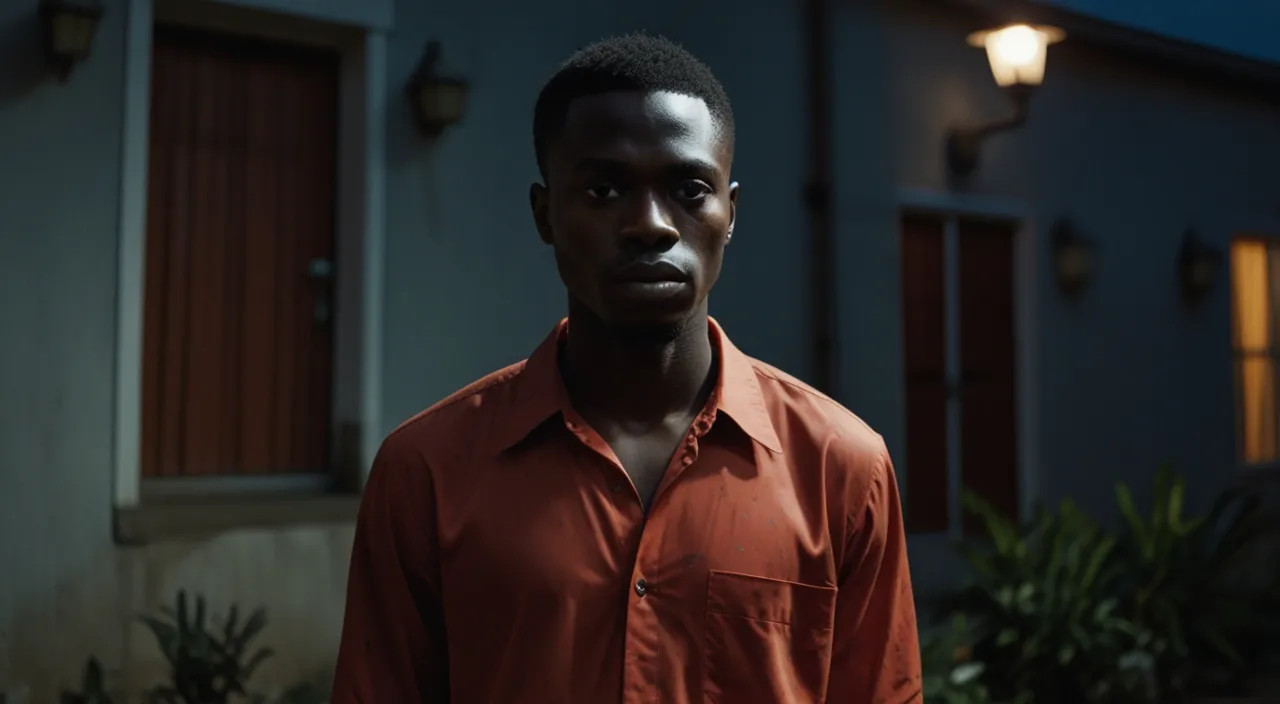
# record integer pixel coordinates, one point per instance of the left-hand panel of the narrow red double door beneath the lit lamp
(925, 359)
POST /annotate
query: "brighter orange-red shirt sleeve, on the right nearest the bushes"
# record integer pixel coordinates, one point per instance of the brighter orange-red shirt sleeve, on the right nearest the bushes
(876, 653)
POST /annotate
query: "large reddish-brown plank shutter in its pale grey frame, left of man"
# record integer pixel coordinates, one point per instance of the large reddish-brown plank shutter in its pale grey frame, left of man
(252, 235)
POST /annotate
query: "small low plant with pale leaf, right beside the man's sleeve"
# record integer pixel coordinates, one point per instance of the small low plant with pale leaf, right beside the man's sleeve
(952, 676)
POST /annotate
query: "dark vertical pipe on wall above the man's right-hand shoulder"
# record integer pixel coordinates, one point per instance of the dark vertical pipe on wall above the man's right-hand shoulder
(819, 194)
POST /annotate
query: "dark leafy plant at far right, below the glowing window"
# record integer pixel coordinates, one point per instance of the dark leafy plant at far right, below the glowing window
(1185, 586)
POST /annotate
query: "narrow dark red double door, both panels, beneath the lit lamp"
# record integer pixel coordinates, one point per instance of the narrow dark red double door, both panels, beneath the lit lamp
(979, 360)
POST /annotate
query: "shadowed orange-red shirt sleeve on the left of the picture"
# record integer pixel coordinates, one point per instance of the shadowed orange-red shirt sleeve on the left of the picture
(394, 648)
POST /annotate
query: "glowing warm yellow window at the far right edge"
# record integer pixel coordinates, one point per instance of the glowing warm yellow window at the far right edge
(1255, 304)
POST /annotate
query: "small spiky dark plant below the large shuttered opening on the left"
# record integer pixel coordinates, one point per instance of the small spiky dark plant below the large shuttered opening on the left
(208, 665)
